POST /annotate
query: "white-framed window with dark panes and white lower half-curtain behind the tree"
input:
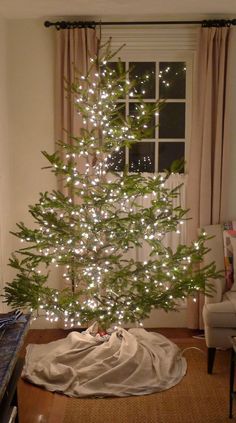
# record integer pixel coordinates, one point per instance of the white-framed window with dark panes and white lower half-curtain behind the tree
(159, 49)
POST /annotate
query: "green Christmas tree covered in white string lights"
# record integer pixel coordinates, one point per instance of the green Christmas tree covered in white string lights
(89, 228)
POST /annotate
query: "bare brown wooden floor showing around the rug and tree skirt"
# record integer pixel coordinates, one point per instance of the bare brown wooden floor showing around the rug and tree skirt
(39, 406)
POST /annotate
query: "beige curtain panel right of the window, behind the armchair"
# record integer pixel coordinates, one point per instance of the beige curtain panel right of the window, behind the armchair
(208, 141)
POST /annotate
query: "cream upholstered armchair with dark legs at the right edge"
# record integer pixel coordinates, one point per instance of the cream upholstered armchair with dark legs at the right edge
(219, 312)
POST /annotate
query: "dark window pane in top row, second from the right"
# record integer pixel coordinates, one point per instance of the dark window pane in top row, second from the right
(144, 74)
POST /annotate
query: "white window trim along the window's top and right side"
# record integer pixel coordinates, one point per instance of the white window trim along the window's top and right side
(165, 43)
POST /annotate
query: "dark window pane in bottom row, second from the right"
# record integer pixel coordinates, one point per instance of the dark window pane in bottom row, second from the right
(142, 157)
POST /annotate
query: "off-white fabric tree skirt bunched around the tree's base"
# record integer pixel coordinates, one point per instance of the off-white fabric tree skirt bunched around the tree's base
(134, 362)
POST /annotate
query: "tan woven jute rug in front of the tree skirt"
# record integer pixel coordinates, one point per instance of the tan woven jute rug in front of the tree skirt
(198, 398)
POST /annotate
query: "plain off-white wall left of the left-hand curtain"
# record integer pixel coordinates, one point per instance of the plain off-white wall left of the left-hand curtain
(30, 94)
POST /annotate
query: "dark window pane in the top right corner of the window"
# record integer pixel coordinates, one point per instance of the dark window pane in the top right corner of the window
(172, 79)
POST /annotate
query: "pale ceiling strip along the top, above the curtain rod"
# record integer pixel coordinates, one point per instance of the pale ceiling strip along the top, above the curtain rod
(127, 9)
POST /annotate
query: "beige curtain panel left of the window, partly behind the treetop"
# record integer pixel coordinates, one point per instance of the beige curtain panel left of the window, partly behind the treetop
(74, 48)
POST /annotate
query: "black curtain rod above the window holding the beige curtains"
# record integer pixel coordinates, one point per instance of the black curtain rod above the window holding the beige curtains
(86, 24)
